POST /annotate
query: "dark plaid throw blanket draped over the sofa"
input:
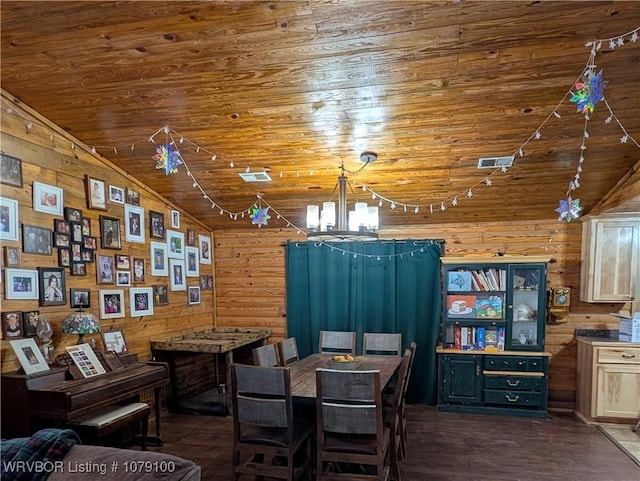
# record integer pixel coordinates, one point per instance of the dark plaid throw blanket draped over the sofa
(34, 458)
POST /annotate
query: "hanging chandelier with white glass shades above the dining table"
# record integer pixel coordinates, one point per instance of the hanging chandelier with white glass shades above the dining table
(359, 224)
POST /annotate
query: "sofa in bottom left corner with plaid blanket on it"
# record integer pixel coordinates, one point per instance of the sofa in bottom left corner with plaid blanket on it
(58, 455)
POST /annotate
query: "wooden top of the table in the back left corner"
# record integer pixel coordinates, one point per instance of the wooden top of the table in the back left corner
(216, 341)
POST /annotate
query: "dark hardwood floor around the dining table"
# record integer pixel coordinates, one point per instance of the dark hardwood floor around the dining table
(444, 447)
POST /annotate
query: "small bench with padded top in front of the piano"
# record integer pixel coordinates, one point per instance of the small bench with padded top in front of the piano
(93, 426)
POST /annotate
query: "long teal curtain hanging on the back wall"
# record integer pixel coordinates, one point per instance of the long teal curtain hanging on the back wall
(379, 286)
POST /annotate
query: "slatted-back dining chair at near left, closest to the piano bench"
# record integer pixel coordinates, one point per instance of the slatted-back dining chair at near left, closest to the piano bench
(267, 440)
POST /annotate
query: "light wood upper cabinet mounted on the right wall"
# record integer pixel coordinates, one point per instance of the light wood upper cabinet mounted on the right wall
(610, 258)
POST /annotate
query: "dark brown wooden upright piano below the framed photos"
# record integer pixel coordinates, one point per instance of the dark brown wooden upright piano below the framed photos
(52, 399)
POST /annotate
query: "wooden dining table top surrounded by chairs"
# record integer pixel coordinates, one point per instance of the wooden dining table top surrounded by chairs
(303, 372)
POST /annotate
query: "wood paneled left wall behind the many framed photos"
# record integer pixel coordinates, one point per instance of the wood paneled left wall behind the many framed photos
(49, 156)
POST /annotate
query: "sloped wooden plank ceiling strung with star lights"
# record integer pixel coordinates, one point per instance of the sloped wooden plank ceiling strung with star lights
(297, 88)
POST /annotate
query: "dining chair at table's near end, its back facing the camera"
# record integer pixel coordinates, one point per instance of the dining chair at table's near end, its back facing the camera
(352, 441)
